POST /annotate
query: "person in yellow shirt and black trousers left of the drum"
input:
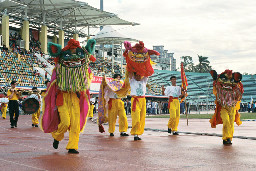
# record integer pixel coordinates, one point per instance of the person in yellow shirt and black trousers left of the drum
(13, 104)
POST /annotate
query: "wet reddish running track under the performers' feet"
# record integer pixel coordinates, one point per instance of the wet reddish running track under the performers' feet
(26, 148)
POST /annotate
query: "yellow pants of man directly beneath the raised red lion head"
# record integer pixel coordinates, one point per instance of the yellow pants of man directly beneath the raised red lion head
(138, 116)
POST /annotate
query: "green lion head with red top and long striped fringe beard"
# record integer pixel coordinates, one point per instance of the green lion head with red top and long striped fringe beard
(72, 64)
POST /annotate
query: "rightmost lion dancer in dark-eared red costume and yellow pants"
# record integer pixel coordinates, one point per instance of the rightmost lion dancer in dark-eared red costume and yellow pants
(228, 89)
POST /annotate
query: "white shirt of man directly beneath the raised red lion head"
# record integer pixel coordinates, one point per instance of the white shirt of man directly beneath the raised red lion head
(138, 88)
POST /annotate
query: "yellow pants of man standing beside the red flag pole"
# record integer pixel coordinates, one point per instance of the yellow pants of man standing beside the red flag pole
(174, 115)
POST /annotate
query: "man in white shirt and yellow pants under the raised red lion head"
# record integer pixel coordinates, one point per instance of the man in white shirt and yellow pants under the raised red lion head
(138, 102)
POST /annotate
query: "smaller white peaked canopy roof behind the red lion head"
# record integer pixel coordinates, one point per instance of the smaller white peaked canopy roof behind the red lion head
(108, 36)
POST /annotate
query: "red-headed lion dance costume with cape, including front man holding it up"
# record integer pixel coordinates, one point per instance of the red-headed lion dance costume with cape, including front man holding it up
(139, 62)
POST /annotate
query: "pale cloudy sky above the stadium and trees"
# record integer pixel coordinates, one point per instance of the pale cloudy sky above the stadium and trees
(224, 31)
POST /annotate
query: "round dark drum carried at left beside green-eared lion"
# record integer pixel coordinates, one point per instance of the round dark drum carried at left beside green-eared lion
(30, 105)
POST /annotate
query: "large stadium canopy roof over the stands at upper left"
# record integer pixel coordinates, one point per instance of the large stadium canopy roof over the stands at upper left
(72, 14)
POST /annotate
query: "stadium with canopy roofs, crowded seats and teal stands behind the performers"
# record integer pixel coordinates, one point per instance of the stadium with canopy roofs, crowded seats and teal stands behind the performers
(24, 56)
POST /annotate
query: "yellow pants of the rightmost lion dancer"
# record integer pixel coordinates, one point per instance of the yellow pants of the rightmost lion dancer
(227, 115)
